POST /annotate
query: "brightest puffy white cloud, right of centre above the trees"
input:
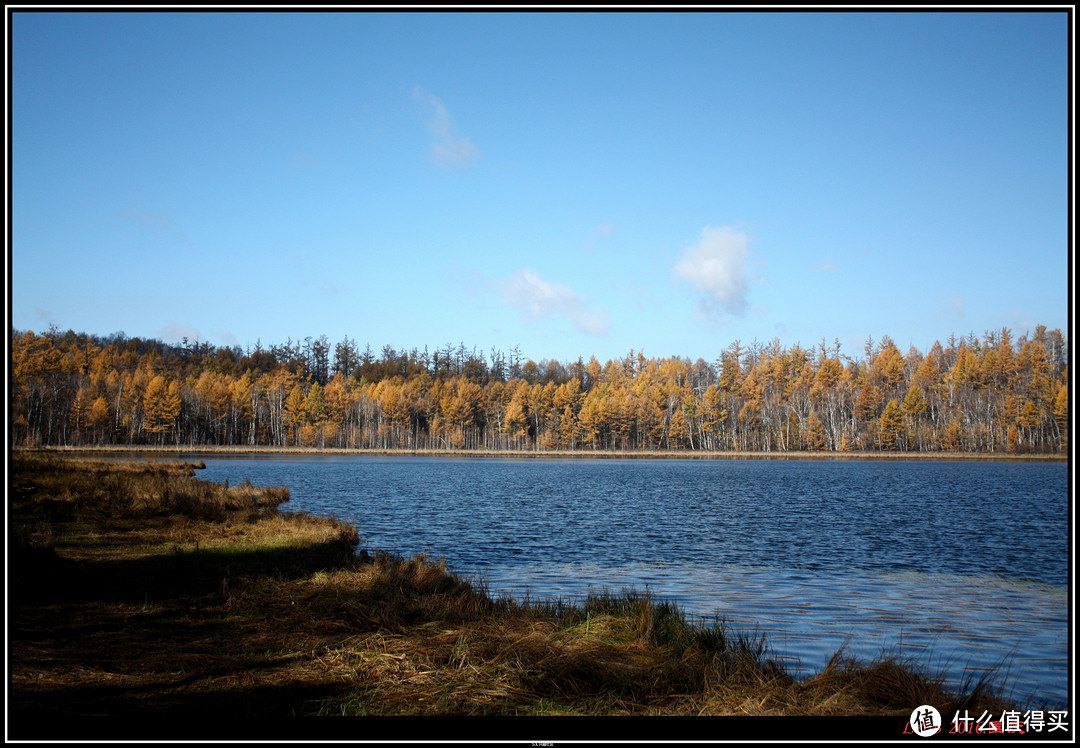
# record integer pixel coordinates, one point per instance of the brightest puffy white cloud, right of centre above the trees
(715, 267)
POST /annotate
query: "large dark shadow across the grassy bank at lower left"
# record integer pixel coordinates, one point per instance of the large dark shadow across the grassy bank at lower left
(119, 646)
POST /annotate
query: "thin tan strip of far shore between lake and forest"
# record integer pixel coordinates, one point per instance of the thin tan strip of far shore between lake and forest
(560, 455)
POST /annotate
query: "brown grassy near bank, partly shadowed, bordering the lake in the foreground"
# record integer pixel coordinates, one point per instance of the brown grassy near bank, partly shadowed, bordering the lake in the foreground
(141, 593)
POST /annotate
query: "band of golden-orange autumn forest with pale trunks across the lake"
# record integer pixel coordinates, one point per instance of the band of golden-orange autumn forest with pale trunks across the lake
(991, 395)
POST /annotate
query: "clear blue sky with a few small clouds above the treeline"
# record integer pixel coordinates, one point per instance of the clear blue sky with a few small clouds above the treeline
(573, 185)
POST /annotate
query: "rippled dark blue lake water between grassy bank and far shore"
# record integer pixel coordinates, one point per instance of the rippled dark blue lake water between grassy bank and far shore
(962, 566)
